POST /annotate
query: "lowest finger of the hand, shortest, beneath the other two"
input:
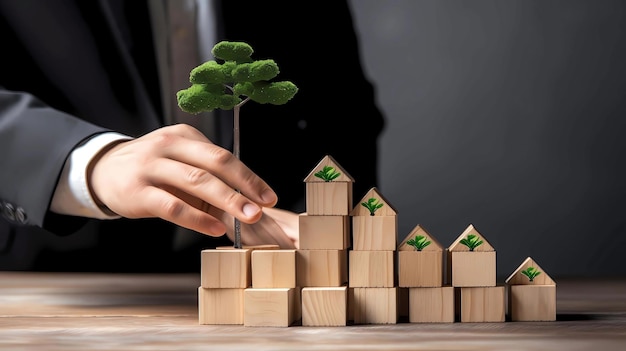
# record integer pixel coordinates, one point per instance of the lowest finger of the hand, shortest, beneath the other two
(174, 209)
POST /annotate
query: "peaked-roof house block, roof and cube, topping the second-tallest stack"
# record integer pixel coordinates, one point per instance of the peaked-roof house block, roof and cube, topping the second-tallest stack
(375, 228)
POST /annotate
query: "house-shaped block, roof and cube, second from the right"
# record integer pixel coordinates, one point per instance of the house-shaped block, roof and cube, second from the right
(471, 267)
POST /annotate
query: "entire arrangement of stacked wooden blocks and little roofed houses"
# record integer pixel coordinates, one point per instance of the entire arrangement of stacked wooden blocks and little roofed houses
(349, 267)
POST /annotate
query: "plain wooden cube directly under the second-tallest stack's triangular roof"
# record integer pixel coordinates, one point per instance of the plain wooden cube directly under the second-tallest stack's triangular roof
(374, 233)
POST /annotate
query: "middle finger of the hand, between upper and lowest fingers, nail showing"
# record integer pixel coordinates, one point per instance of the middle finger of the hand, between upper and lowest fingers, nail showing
(204, 186)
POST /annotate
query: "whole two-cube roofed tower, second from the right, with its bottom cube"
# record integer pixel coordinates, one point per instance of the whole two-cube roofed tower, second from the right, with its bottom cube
(472, 271)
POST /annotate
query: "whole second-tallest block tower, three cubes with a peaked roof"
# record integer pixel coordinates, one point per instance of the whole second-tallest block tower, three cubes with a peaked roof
(372, 275)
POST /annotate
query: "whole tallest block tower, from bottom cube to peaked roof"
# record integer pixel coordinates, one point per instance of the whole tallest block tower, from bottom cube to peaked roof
(321, 259)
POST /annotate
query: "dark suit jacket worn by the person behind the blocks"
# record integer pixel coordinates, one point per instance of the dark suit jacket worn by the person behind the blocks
(70, 69)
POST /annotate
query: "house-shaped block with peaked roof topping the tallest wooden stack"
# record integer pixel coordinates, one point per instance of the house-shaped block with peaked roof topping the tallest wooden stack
(328, 197)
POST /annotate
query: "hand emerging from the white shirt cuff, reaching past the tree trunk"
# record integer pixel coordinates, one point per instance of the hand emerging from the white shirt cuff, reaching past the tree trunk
(177, 174)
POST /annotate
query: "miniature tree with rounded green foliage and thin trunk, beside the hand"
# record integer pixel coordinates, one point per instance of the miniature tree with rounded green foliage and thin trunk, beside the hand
(229, 84)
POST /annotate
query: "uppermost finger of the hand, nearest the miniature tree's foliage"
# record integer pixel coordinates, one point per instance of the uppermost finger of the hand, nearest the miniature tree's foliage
(221, 163)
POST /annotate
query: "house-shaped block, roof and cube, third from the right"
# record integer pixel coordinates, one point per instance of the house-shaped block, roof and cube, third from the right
(417, 266)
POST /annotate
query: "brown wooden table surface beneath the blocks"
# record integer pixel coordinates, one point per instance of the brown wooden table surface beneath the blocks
(79, 311)
